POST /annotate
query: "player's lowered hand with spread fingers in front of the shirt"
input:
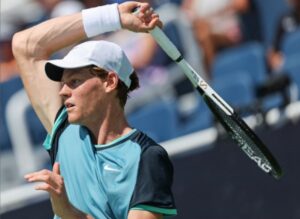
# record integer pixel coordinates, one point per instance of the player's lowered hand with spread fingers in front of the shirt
(53, 183)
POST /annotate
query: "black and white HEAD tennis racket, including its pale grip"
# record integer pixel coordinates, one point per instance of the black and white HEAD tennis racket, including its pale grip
(237, 129)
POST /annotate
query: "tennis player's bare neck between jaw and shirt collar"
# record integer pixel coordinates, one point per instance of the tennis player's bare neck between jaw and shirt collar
(111, 126)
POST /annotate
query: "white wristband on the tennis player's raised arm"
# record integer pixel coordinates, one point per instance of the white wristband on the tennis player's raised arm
(101, 19)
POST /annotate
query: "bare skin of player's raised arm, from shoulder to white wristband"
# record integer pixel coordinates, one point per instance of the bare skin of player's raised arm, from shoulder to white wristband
(32, 47)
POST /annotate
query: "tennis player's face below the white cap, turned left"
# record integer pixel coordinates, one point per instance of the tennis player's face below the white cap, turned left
(83, 94)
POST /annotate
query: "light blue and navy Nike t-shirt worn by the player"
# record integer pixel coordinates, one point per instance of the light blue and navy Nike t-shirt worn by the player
(106, 181)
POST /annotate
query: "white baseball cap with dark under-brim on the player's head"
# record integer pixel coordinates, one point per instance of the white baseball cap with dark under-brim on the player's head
(106, 55)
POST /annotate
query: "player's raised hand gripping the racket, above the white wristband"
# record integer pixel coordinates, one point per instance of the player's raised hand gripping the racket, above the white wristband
(144, 21)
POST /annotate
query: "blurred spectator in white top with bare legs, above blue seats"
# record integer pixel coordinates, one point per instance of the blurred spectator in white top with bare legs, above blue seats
(216, 24)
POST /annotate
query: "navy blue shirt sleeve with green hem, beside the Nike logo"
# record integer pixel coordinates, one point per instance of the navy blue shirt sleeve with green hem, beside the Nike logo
(154, 181)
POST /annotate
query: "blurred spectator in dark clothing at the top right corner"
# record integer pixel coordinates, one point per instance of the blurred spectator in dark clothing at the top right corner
(287, 24)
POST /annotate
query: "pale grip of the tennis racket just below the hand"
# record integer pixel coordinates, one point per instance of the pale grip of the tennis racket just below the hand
(164, 42)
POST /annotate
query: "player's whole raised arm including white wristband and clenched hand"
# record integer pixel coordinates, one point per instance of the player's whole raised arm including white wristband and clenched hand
(33, 47)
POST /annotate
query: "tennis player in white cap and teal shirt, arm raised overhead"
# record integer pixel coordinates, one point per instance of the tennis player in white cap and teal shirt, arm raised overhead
(102, 167)
